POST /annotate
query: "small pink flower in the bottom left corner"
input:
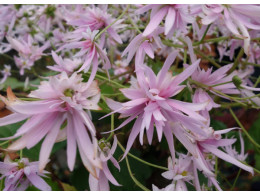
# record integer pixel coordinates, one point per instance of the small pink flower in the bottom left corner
(21, 174)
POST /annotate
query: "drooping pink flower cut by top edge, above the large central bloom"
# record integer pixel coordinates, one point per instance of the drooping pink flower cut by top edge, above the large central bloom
(176, 18)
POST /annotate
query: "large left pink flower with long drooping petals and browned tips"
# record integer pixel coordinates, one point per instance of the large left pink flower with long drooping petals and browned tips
(62, 100)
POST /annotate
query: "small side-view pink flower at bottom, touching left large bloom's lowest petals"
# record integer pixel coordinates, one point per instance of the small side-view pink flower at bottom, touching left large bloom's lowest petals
(104, 175)
